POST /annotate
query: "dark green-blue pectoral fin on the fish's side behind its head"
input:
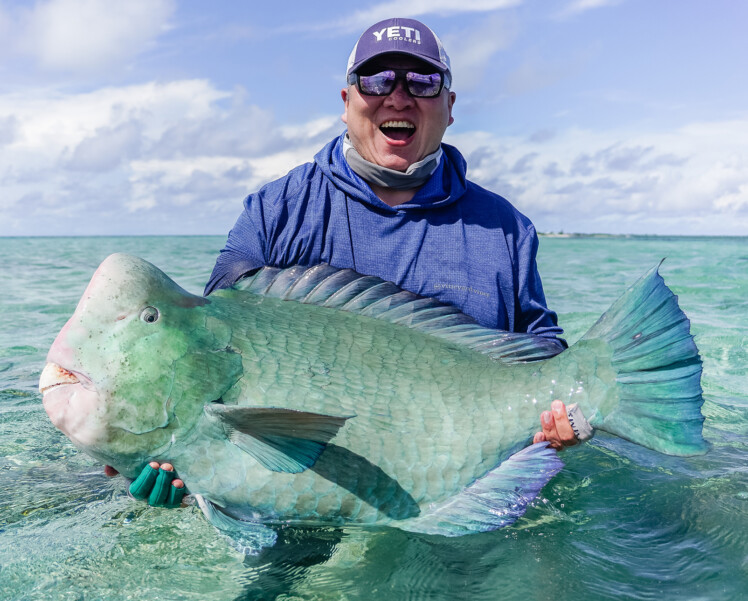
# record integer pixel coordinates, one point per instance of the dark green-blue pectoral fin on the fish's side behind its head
(282, 440)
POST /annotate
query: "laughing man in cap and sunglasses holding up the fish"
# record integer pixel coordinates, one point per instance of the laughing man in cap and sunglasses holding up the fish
(388, 198)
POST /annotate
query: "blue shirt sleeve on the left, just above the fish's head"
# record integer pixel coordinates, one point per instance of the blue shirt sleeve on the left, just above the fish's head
(246, 247)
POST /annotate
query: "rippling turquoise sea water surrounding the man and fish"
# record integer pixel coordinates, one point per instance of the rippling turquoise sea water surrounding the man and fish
(619, 522)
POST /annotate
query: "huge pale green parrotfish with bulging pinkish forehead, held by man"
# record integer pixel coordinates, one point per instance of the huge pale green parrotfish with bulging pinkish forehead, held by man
(314, 394)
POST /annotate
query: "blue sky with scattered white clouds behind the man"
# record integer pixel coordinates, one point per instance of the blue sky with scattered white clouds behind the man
(160, 116)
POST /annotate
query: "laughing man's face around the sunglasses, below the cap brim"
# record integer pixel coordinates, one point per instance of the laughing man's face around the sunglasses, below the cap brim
(368, 118)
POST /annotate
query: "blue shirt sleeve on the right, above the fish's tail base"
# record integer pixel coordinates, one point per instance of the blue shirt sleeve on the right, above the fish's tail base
(532, 314)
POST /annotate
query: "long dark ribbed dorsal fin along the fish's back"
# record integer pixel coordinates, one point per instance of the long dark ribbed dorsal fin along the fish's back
(372, 296)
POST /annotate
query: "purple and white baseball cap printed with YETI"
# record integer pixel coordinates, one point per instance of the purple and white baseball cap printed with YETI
(401, 36)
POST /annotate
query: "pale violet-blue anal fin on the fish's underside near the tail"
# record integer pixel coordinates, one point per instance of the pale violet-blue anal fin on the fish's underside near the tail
(495, 500)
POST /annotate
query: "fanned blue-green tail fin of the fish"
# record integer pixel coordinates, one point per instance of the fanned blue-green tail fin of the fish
(657, 370)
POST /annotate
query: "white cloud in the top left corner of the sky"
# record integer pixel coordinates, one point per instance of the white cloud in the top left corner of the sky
(87, 35)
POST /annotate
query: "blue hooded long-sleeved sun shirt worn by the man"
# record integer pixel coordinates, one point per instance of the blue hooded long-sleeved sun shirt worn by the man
(454, 241)
